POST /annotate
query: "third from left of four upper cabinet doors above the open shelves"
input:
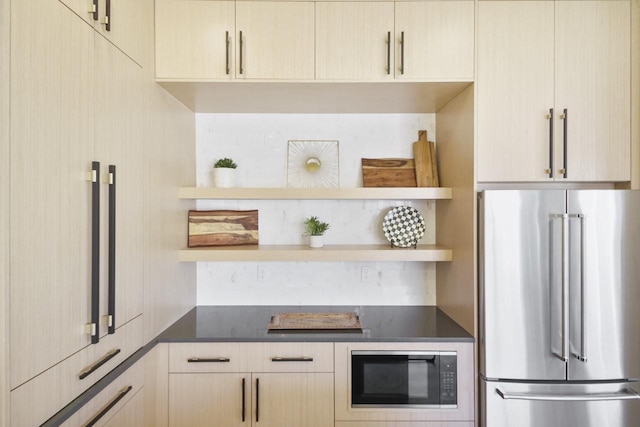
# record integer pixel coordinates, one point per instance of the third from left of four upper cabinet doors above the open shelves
(354, 40)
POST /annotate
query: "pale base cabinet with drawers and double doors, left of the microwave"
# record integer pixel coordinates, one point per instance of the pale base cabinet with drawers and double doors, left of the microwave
(272, 384)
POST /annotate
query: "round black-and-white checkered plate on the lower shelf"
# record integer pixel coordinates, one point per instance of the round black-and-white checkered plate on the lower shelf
(403, 226)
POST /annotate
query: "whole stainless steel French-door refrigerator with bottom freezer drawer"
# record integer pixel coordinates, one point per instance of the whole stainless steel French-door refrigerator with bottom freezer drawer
(559, 275)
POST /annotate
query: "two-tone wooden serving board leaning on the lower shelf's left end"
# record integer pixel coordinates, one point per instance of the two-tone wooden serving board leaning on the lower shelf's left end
(223, 228)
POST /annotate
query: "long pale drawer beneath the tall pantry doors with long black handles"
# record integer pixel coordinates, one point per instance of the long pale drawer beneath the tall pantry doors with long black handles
(37, 400)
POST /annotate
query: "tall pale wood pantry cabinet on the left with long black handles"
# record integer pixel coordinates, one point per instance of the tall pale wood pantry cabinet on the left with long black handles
(74, 237)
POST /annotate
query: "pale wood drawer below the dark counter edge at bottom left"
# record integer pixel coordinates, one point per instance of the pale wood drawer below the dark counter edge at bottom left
(102, 409)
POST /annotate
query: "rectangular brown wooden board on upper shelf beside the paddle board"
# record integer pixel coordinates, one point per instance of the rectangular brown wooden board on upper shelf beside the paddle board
(388, 173)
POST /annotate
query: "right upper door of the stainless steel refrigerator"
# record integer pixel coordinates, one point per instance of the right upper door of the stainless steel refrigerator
(605, 284)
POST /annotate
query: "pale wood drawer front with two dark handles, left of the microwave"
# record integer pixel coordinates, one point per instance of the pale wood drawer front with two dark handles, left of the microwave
(251, 357)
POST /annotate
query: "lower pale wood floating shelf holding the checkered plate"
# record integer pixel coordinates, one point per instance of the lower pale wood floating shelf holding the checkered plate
(327, 253)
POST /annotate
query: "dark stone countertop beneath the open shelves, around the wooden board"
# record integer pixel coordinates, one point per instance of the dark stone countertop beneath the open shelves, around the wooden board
(379, 323)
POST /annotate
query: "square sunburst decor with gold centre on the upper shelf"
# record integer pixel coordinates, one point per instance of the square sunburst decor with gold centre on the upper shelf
(313, 164)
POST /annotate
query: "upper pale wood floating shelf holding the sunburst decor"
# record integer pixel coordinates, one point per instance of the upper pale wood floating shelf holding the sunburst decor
(369, 193)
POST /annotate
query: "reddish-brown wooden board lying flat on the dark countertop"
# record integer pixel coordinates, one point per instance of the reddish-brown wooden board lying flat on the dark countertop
(315, 321)
